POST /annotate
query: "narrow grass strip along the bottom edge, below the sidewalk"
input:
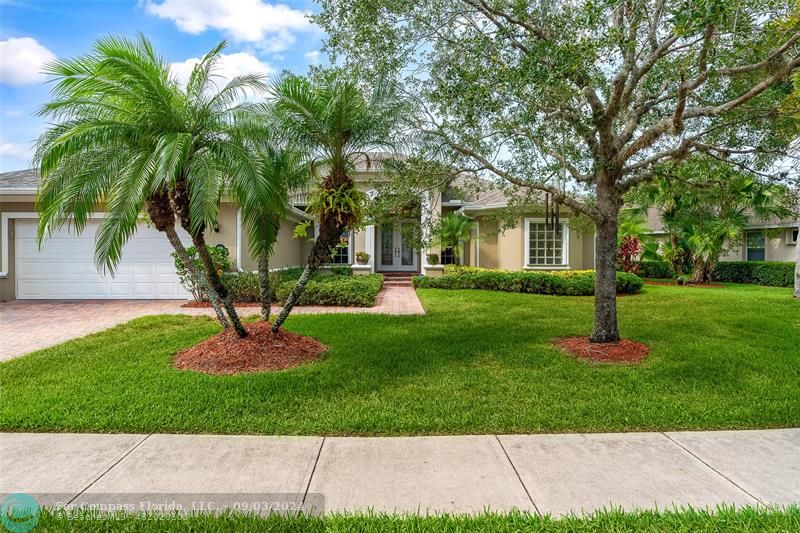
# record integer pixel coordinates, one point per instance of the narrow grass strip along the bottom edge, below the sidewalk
(723, 520)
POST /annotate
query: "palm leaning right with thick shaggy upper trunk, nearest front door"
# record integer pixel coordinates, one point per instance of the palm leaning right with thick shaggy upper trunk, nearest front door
(336, 121)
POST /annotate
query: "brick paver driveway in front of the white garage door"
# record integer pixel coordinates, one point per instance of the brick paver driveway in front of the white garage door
(29, 325)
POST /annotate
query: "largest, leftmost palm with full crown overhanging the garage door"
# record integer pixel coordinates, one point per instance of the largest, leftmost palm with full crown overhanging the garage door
(127, 136)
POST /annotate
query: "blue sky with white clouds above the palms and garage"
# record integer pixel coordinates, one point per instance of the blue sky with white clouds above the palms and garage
(264, 36)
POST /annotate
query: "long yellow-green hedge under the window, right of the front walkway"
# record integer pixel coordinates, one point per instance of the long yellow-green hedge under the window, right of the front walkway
(562, 283)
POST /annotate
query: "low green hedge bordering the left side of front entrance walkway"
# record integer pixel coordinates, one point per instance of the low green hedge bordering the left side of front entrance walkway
(340, 290)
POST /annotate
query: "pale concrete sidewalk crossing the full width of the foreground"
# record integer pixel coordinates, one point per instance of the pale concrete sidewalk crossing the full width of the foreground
(547, 474)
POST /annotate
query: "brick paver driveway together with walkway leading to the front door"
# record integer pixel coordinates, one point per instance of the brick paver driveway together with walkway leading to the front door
(29, 325)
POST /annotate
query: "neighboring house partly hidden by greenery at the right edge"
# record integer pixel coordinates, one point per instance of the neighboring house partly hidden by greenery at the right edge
(769, 240)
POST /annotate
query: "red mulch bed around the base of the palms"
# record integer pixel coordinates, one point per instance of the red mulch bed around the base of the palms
(225, 353)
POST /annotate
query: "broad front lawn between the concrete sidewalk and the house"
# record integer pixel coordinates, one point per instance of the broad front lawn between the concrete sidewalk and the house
(479, 362)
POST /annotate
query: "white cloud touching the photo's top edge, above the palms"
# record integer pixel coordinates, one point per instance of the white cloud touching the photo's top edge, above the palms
(242, 20)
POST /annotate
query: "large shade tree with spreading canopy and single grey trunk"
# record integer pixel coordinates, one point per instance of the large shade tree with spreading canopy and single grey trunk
(582, 99)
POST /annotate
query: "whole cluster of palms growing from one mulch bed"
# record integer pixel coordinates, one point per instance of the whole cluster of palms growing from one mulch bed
(128, 137)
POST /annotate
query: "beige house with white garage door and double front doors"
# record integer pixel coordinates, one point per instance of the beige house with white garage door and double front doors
(64, 267)
